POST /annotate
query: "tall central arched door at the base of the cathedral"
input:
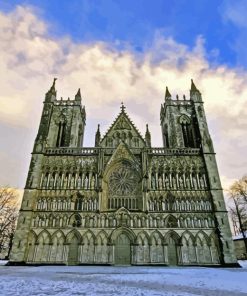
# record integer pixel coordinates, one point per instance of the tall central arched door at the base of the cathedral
(122, 250)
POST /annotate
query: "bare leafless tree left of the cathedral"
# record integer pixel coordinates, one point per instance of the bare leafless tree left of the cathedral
(8, 217)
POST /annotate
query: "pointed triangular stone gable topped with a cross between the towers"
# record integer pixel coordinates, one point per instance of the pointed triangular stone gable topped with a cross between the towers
(123, 129)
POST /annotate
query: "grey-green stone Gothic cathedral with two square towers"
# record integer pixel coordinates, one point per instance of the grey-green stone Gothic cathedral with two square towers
(123, 202)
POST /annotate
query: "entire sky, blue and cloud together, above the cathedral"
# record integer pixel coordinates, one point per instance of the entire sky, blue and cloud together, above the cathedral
(127, 51)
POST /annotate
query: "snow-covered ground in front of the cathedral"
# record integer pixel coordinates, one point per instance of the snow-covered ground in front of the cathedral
(127, 281)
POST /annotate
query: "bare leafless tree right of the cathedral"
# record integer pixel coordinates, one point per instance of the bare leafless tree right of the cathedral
(238, 209)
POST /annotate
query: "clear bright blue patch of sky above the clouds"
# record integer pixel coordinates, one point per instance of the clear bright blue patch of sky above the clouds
(136, 23)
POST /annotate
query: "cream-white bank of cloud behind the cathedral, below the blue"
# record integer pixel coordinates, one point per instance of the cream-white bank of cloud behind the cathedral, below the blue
(29, 59)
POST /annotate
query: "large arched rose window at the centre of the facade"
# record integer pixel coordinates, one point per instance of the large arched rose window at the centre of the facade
(123, 186)
